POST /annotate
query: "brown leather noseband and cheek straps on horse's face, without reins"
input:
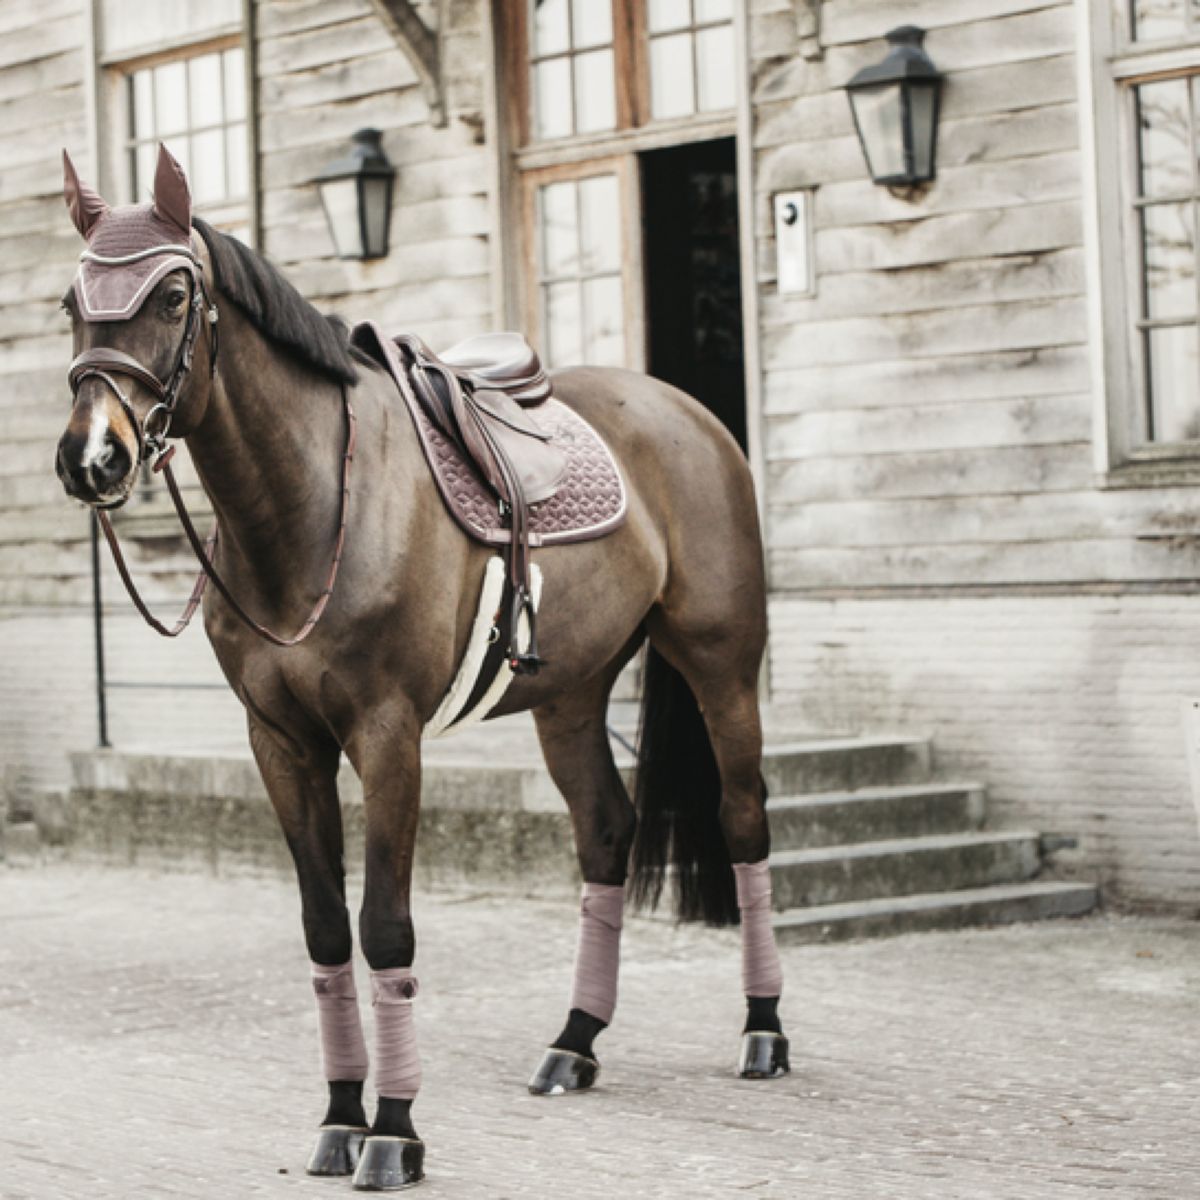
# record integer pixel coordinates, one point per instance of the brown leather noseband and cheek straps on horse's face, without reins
(101, 362)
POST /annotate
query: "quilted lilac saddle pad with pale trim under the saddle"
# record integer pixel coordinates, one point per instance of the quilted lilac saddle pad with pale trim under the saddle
(589, 503)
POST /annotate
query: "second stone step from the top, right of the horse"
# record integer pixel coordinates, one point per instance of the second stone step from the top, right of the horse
(875, 814)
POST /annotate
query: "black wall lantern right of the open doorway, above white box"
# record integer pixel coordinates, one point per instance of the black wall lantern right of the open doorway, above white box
(896, 106)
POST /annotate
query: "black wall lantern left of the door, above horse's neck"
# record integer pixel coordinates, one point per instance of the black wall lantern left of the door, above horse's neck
(357, 195)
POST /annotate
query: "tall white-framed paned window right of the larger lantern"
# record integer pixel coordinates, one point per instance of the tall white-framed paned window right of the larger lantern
(1148, 119)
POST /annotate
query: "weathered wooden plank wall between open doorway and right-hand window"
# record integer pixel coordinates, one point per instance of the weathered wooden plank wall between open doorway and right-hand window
(929, 412)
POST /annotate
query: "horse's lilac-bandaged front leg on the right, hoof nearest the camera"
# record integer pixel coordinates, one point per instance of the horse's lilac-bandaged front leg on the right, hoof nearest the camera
(388, 763)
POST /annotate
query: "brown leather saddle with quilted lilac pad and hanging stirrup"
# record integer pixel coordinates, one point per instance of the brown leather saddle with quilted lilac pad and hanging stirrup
(515, 467)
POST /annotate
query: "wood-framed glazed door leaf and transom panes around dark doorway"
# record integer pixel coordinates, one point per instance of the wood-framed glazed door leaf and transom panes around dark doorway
(592, 83)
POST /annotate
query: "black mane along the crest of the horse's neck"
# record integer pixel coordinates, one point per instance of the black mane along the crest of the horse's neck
(277, 309)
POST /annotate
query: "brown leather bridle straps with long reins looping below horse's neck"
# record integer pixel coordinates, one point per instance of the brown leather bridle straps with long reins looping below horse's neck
(103, 363)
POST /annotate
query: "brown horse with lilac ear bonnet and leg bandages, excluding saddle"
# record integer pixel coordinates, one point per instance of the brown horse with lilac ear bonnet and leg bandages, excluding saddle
(184, 333)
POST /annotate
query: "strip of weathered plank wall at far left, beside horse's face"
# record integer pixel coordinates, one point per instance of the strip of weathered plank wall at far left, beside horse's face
(43, 109)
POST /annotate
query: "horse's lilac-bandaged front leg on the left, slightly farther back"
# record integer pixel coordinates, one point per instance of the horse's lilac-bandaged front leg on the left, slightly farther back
(302, 782)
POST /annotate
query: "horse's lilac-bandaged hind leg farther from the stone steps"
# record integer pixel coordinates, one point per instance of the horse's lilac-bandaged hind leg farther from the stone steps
(575, 742)
